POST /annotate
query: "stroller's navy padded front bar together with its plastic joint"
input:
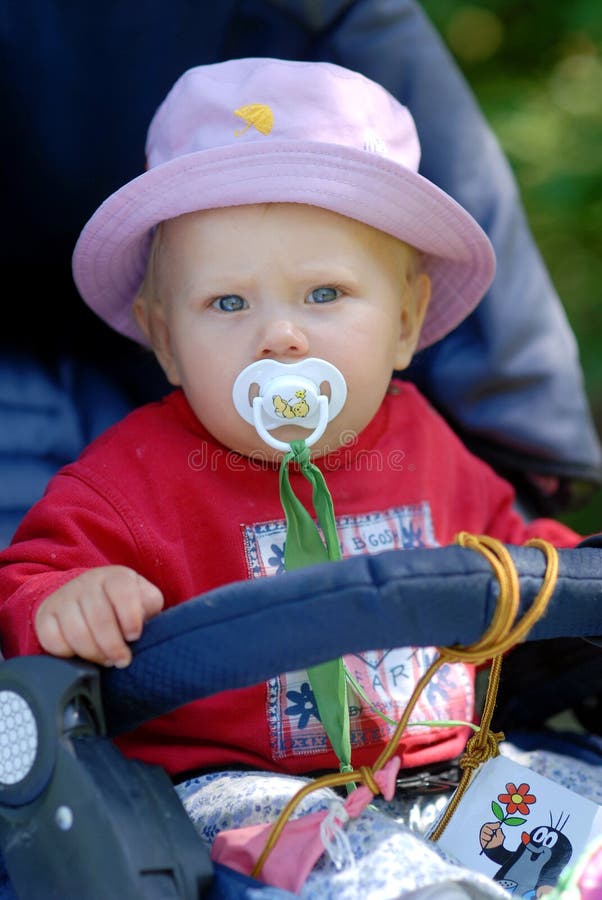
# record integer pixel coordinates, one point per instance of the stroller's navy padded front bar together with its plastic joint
(73, 810)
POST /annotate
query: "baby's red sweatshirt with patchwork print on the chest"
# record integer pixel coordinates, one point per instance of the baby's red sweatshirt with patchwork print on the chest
(158, 494)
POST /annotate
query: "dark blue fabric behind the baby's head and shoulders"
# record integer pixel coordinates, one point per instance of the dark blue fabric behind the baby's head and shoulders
(80, 84)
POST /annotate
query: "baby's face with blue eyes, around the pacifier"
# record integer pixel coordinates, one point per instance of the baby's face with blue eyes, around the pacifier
(283, 282)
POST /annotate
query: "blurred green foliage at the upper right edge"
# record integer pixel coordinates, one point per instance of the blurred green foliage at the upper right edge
(536, 69)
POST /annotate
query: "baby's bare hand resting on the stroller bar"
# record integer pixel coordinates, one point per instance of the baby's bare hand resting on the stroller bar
(94, 614)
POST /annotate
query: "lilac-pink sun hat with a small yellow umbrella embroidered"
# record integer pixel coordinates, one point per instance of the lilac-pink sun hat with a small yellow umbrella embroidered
(267, 130)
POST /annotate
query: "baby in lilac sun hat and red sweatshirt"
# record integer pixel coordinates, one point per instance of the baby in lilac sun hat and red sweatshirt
(281, 218)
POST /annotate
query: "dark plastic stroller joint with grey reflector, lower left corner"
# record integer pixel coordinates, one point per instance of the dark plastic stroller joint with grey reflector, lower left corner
(77, 819)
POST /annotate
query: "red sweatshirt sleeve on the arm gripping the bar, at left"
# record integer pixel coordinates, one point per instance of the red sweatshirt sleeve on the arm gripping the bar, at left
(76, 526)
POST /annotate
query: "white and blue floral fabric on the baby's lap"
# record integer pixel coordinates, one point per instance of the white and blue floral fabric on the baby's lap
(390, 857)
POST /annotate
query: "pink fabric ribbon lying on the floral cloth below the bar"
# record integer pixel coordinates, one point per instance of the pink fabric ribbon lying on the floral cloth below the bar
(300, 845)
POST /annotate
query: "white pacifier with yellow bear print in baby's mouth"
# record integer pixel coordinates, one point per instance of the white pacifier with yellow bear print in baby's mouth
(269, 394)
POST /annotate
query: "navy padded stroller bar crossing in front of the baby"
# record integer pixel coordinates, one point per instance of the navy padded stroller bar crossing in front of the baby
(421, 597)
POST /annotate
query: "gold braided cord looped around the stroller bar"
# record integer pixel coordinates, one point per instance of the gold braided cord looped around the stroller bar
(501, 634)
